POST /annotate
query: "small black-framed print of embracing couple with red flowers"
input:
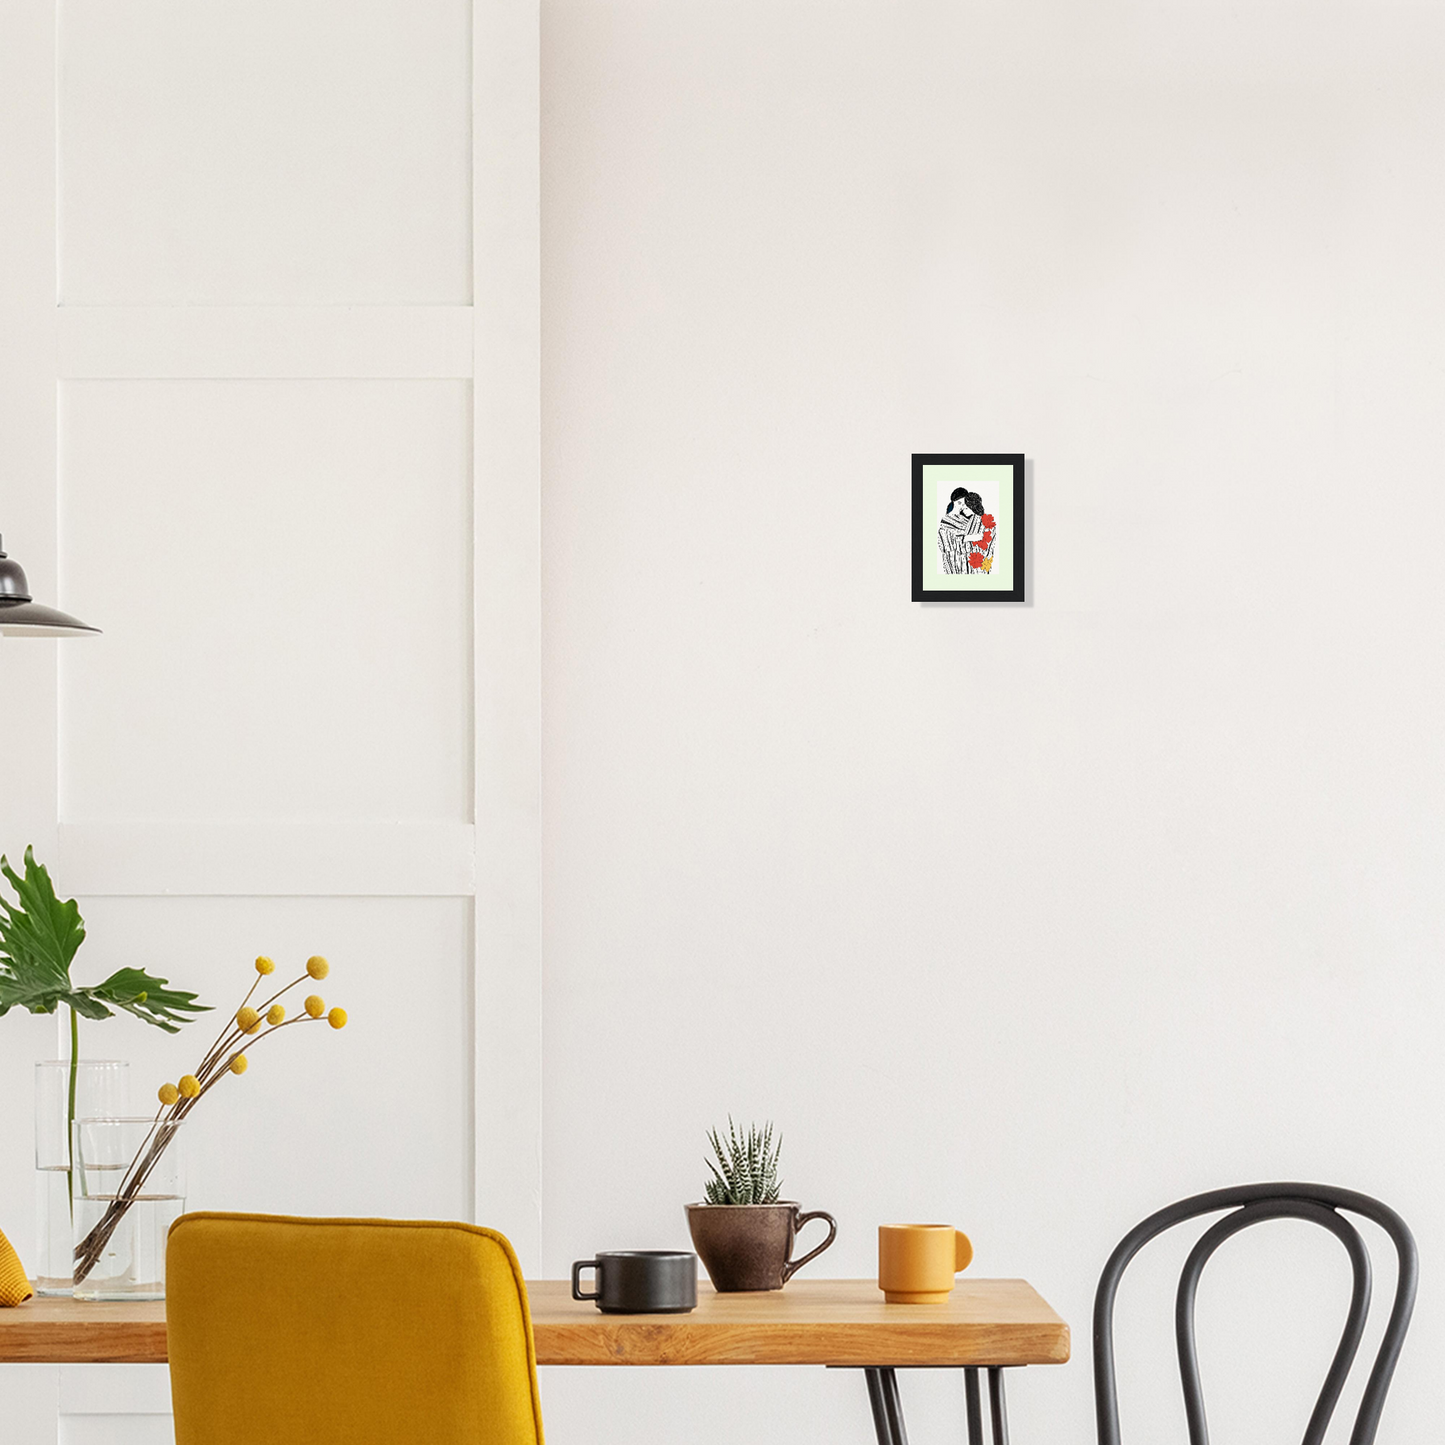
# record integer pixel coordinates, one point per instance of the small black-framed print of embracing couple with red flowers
(967, 527)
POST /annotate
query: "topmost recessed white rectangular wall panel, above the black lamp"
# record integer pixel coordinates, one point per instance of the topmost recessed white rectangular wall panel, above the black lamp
(265, 152)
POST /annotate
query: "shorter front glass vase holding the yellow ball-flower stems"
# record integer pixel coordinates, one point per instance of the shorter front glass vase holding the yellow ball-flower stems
(129, 1191)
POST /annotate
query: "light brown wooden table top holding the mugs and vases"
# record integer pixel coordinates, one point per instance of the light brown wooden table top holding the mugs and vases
(816, 1321)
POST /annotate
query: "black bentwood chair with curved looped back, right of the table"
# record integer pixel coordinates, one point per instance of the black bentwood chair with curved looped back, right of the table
(1317, 1204)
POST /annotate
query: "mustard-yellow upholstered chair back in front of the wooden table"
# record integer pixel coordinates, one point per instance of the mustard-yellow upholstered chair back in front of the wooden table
(326, 1332)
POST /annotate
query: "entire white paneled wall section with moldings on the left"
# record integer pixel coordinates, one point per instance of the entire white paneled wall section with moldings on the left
(249, 259)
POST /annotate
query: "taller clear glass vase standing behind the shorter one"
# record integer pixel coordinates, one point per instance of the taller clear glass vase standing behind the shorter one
(102, 1087)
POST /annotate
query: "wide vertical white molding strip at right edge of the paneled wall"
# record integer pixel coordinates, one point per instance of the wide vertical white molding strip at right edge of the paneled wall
(508, 573)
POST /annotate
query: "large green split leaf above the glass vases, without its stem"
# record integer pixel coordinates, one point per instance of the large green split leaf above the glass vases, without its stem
(40, 936)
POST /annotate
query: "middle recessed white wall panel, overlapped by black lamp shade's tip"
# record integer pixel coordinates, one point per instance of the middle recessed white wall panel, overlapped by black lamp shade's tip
(317, 537)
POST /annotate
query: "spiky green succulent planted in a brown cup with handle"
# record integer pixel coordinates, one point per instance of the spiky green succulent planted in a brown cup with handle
(743, 1230)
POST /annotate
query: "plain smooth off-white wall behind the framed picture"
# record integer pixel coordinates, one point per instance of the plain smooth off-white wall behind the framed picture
(1031, 918)
